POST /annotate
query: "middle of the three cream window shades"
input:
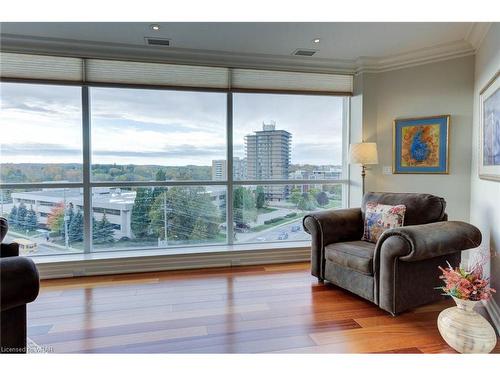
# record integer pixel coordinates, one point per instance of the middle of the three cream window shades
(126, 72)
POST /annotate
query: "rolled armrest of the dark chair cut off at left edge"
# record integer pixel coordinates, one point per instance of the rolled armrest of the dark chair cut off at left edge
(19, 282)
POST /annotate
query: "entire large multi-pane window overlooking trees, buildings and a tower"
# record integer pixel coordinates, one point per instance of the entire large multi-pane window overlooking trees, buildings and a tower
(102, 168)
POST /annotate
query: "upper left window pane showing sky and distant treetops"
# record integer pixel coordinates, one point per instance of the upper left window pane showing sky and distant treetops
(40, 133)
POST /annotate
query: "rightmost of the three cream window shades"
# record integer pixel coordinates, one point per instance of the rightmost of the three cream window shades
(249, 79)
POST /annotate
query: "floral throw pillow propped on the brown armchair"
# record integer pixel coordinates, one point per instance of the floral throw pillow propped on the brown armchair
(380, 217)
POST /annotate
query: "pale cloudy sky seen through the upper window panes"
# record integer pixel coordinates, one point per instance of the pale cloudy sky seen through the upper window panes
(42, 124)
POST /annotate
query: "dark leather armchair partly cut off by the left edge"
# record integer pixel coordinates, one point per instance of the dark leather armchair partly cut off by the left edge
(19, 285)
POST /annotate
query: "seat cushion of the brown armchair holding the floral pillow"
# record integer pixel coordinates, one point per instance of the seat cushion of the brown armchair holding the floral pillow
(354, 255)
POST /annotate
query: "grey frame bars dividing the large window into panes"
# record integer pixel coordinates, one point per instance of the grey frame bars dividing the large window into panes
(229, 182)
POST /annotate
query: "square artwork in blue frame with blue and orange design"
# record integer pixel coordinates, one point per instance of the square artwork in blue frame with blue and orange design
(421, 145)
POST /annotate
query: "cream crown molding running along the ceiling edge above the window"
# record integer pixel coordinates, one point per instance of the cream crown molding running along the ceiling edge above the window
(367, 64)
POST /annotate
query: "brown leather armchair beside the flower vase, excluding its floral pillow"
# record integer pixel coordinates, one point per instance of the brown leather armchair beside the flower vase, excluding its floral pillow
(400, 271)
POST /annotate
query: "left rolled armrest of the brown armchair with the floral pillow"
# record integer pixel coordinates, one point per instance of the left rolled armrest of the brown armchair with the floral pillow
(330, 226)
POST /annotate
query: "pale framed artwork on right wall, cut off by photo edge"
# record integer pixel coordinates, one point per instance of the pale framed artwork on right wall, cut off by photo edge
(489, 130)
